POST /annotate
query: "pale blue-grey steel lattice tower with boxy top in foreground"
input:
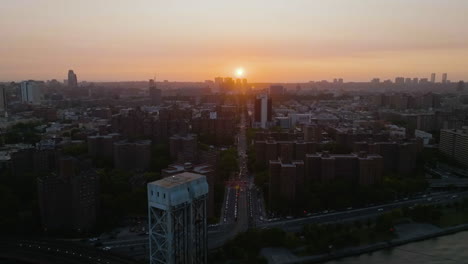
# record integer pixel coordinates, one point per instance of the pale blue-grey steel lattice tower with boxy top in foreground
(177, 219)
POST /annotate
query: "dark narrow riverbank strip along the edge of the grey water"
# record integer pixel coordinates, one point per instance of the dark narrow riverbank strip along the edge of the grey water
(355, 251)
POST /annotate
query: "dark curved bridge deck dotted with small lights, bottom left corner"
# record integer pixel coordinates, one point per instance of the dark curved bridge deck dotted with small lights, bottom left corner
(43, 251)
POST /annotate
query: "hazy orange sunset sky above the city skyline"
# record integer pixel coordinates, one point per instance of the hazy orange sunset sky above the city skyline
(272, 40)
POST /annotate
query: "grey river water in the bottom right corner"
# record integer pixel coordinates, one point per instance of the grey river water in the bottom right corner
(441, 250)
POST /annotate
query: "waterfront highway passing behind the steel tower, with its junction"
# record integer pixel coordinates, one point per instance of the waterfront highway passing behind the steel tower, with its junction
(219, 234)
